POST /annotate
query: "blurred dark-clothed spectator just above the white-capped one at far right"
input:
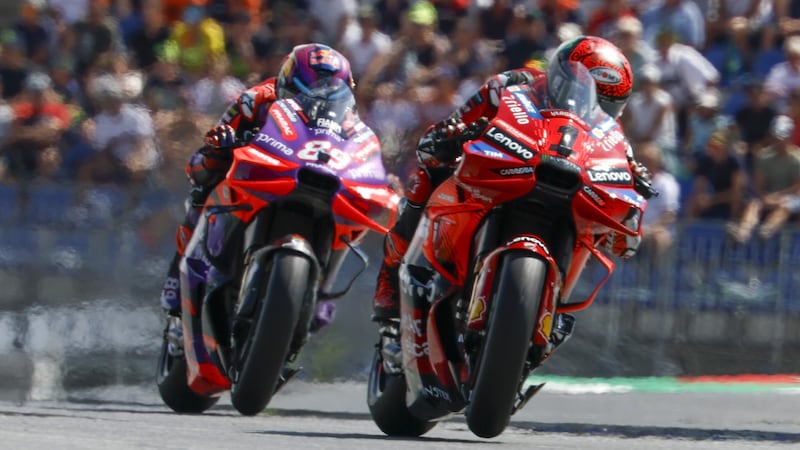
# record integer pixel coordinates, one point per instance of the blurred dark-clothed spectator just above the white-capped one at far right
(752, 120)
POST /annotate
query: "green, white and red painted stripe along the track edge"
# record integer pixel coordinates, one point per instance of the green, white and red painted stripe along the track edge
(787, 383)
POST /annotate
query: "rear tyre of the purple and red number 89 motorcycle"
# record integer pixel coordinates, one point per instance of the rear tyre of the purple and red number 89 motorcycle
(172, 381)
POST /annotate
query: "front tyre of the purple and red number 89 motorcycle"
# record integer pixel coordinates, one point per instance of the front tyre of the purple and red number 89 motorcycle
(267, 345)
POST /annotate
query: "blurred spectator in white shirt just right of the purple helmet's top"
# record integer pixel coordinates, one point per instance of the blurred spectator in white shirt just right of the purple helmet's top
(368, 44)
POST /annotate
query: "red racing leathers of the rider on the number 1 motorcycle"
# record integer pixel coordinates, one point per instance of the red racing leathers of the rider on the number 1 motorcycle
(437, 153)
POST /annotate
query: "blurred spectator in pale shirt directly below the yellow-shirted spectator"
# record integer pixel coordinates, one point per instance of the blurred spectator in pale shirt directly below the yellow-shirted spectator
(214, 92)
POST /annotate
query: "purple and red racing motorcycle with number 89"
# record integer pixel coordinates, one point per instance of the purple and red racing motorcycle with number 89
(273, 237)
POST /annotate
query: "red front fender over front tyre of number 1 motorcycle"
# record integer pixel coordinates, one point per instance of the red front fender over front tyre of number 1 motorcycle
(485, 285)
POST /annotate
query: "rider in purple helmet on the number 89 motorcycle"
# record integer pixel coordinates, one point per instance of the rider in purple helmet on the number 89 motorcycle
(302, 67)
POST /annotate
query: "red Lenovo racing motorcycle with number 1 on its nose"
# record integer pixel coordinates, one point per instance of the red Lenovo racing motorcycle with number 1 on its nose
(485, 286)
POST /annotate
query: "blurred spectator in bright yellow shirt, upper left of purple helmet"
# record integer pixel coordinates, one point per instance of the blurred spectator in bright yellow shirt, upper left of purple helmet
(199, 38)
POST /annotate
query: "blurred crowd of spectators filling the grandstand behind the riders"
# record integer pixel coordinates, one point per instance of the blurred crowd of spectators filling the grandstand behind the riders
(119, 92)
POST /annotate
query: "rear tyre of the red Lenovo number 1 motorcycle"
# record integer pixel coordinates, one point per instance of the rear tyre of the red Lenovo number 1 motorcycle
(386, 398)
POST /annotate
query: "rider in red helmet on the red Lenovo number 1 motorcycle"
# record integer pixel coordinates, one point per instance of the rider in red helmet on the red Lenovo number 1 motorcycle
(440, 146)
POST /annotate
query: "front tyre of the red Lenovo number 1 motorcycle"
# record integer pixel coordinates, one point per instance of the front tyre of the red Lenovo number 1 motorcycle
(505, 347)
